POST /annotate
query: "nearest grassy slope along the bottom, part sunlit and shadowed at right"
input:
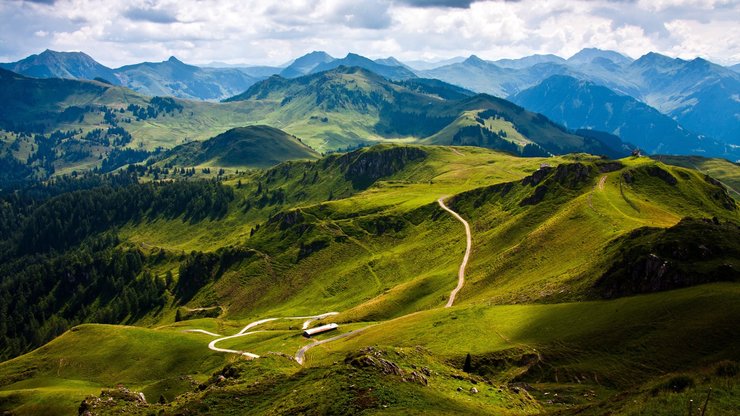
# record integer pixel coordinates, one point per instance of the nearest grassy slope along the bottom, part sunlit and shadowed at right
(593, 348)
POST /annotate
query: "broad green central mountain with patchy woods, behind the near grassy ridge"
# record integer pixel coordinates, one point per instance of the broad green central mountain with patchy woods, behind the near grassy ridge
(348, 105)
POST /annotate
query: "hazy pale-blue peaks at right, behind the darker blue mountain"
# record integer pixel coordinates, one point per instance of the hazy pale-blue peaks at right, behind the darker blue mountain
(699, 95)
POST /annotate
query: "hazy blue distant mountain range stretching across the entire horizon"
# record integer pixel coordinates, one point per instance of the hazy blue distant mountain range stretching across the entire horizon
(700, 96)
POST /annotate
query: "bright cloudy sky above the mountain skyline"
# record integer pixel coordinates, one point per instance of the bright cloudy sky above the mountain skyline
(118, 32)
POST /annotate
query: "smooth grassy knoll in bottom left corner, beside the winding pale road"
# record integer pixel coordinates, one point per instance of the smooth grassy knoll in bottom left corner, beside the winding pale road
(56, 377)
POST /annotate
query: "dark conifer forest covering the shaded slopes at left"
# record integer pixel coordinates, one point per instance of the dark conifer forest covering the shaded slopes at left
(84, 273)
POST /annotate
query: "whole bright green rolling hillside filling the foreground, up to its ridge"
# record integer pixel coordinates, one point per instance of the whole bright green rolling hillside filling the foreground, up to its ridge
(362, 234)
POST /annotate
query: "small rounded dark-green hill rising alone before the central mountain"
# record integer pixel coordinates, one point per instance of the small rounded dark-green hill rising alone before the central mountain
(253, 146)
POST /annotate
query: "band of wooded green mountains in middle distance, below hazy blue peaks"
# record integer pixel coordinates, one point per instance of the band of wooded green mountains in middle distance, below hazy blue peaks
(55, 125)
